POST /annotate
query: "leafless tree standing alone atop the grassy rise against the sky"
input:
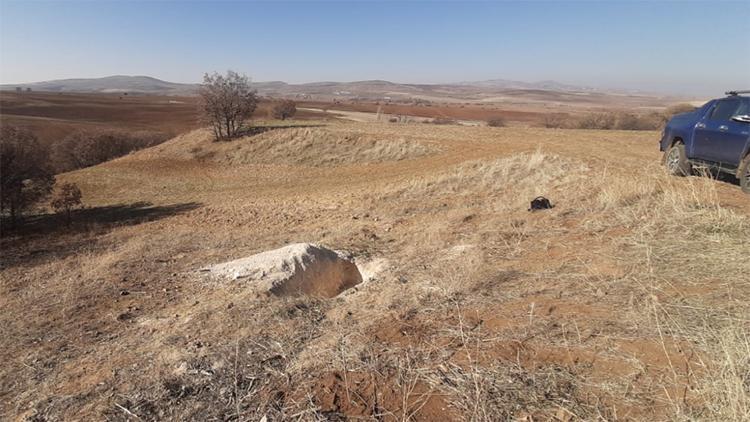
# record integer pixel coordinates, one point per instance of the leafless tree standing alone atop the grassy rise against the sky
(226, 102)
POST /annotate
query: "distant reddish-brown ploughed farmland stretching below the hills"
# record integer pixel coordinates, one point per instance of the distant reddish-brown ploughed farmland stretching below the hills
(51, 115)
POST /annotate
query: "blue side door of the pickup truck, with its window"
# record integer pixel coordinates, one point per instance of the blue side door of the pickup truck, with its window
(718, 138)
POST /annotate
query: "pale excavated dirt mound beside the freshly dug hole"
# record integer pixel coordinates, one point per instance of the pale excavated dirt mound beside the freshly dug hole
(298, 269)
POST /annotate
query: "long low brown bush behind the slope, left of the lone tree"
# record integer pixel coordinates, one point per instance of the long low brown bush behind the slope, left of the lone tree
(87, 148)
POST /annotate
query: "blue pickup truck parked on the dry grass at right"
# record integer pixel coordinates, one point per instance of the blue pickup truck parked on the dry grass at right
(716, 136)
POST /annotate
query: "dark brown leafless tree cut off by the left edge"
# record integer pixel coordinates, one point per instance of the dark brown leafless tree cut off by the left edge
(25, 177)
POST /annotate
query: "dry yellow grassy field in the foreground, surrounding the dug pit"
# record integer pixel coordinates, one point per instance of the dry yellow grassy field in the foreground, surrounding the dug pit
(474, 308)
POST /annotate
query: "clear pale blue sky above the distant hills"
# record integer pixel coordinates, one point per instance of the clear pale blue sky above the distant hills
(678, 47)
